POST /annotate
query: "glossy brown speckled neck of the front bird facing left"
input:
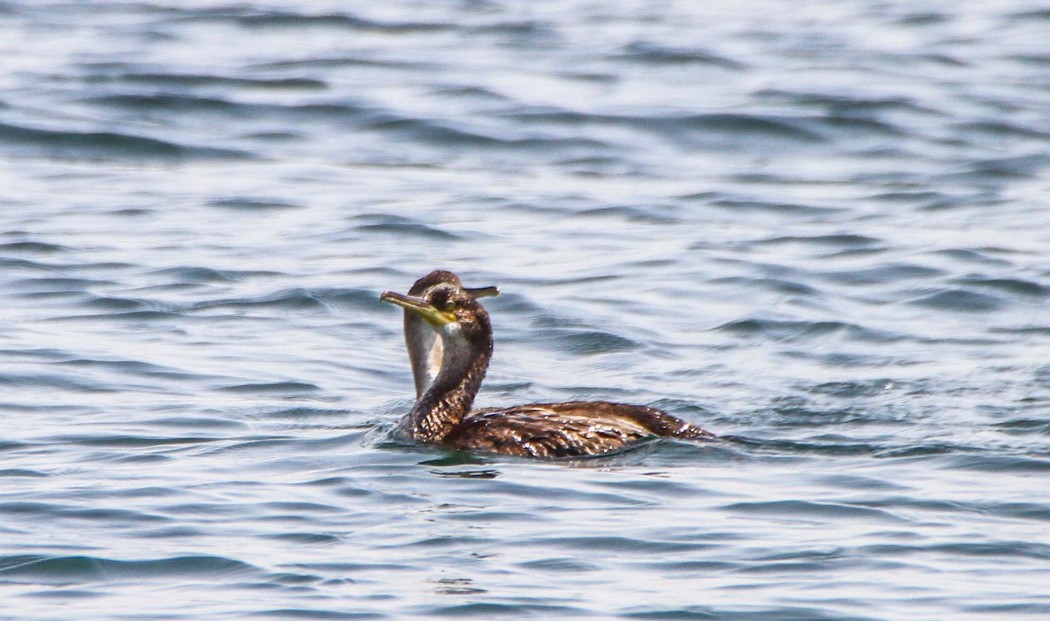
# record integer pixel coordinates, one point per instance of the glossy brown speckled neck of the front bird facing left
(449, 399)
